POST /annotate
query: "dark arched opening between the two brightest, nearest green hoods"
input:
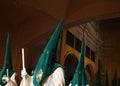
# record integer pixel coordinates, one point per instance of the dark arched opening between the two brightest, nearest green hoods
(70, 67)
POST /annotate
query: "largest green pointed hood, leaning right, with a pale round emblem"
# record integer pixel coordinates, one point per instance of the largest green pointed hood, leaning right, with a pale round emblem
(46, 62)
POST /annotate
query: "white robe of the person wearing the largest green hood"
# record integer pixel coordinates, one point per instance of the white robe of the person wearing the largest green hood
(55, 79)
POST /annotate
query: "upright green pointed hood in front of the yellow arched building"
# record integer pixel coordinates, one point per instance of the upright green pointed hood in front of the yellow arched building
(79, 76)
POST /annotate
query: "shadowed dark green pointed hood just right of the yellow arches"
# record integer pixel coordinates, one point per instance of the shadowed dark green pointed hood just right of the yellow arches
(97, 81)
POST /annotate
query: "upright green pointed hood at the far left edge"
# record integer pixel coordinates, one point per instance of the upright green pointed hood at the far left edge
(7, 61)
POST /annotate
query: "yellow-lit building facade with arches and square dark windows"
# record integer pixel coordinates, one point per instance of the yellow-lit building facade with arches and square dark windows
(69, 49)
